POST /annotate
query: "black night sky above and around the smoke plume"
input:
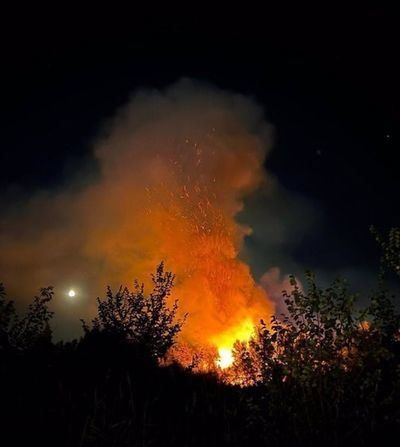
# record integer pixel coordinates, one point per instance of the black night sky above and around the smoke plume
(329, 82)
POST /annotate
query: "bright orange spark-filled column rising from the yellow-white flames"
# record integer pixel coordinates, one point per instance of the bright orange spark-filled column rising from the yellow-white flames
(201, 241)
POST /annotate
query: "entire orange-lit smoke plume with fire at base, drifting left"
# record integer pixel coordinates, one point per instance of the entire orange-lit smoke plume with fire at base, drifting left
(175, 167)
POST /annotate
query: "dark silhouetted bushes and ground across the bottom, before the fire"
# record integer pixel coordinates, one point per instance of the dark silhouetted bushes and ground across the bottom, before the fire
(327, 371)
